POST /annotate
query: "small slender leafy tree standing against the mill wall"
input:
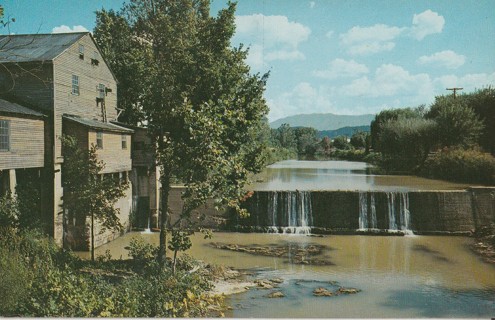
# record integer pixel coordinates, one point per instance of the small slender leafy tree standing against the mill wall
(86, 192)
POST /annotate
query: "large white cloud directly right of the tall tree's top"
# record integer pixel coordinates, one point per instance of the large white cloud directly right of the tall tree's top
(270, 38)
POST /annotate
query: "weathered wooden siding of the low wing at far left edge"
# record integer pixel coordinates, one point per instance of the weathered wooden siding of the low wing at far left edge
(26, 144)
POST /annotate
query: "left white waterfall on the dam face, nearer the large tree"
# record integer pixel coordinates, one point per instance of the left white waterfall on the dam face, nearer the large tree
(294, 215)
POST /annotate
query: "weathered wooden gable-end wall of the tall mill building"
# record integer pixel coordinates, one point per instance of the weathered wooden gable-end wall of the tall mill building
(90, 76)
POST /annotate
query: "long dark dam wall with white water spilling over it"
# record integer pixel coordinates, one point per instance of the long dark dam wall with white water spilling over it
(399, 212)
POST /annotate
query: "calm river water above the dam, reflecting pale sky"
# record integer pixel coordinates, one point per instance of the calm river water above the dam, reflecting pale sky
(340, 175)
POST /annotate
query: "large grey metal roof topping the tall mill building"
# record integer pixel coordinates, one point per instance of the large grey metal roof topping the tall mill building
(35, 47)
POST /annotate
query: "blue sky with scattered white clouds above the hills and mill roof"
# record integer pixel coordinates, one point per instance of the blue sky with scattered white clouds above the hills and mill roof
(332, 56)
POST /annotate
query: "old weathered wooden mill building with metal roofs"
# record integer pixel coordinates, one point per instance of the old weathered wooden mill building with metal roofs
(56, 84)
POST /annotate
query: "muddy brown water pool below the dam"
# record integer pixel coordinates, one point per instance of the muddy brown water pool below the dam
(399, 277)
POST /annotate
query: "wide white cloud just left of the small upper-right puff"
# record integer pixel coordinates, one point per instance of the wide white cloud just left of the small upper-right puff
(368, 40)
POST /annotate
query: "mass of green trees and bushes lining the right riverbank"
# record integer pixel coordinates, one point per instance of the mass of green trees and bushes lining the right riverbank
(452, 139)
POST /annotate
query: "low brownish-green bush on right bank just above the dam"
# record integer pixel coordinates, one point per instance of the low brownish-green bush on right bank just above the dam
(471, 166)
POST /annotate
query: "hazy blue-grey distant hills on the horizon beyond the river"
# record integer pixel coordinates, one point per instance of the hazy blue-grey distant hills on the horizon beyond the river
(325, 121)
